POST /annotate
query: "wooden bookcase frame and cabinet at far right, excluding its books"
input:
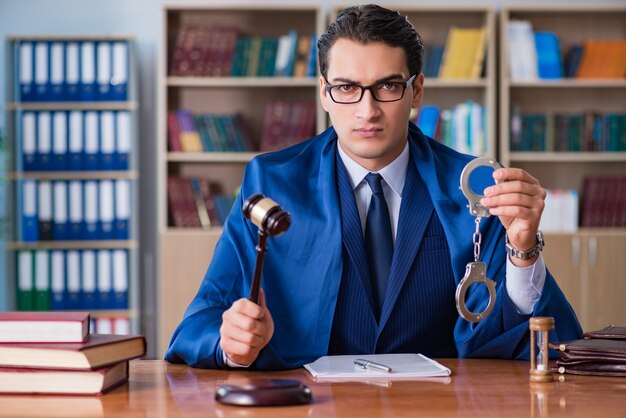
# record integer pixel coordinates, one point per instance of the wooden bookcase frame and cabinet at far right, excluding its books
(588, 263)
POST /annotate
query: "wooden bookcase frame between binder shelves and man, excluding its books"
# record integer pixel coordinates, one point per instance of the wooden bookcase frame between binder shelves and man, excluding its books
(185, 253)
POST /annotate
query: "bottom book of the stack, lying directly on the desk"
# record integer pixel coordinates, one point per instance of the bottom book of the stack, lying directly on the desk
(75, 382)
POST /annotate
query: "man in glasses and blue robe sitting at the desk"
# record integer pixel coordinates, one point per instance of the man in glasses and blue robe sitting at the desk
(328, 286)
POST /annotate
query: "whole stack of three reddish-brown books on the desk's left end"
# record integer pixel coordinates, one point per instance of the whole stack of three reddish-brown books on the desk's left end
(53, 353)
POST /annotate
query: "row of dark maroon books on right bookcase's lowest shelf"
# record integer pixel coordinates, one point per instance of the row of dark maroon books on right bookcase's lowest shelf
(603, 201)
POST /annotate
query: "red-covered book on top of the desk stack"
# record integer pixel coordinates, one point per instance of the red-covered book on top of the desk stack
(44, 327)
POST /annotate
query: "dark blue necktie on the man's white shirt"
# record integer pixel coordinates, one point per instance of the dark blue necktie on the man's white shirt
(378, 241)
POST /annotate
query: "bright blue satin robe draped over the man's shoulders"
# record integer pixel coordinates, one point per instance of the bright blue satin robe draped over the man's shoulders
(303, 267)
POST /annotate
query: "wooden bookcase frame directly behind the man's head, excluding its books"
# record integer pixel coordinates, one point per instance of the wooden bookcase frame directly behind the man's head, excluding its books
(433, 23)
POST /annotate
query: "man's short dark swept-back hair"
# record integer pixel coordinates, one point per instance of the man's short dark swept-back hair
(372, 23)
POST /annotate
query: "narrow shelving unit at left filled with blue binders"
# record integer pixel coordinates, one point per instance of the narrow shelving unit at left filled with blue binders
(50, 226)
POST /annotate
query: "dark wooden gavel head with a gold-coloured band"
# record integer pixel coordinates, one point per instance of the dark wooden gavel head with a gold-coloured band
(266, 214)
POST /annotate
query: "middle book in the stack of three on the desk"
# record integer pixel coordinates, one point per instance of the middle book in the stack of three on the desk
(100, 350)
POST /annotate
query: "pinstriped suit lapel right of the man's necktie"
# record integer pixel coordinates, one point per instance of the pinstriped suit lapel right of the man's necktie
(415, 212)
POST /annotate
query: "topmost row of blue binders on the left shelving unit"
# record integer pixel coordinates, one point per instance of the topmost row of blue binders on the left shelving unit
(72, 71)
